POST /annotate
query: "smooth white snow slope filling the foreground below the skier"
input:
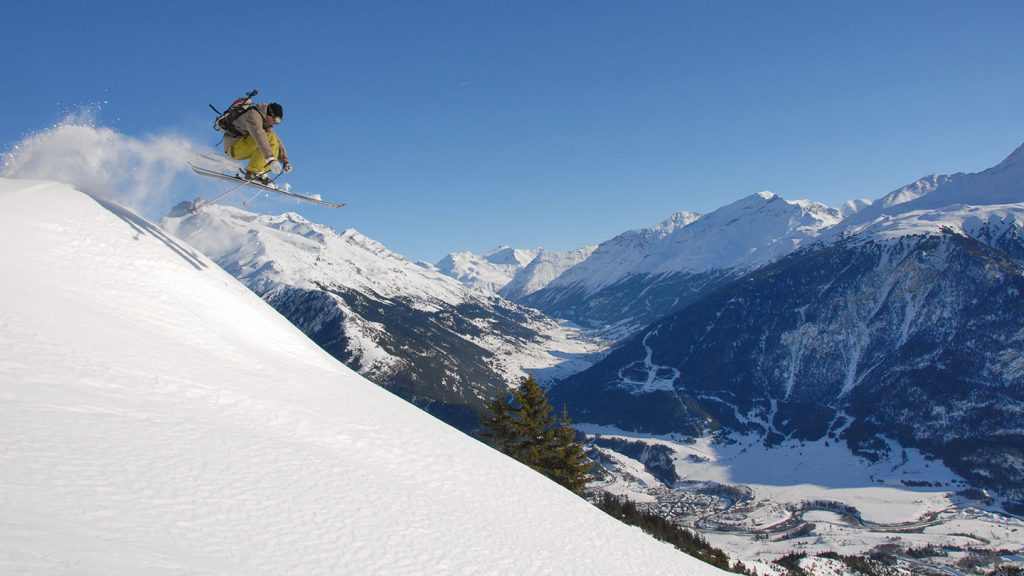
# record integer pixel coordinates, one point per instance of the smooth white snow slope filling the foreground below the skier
(157, 418)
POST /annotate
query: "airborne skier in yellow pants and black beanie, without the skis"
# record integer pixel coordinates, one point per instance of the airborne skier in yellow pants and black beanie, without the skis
(259, 143)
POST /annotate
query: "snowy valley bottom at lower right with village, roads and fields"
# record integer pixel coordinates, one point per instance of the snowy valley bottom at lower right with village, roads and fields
(909, 512)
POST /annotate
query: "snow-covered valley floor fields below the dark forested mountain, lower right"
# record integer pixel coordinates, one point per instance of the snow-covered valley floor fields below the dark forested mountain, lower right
(846, 505)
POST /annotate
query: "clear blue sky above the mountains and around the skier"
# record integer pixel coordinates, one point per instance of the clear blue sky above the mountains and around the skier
(461, 126)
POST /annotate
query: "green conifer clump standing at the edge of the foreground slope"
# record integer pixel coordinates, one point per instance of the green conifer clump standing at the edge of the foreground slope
(522, 426)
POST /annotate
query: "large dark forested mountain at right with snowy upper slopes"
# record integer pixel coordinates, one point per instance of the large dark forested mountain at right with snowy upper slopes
(901, 321)
